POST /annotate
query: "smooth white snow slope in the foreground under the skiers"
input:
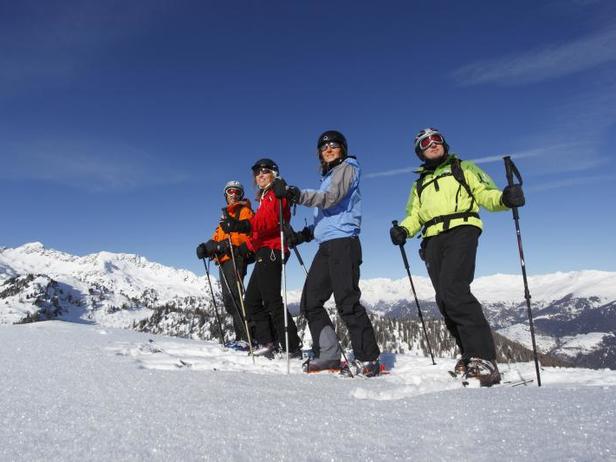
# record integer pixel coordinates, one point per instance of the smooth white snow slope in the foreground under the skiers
(82, 392)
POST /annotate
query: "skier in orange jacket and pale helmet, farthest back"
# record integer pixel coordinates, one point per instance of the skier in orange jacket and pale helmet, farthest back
(218, 246)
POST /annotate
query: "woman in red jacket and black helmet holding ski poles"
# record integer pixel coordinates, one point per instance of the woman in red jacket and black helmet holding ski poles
(263, 299)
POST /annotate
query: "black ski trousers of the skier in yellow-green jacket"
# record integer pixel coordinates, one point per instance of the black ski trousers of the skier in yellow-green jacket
(450, 259)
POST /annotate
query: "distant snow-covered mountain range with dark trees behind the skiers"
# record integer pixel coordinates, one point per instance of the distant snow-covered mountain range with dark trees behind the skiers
(574, 312)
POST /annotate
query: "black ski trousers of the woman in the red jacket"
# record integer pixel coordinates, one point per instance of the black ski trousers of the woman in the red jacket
(264, 302)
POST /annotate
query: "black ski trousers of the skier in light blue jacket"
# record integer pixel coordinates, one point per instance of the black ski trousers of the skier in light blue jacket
(335, 269)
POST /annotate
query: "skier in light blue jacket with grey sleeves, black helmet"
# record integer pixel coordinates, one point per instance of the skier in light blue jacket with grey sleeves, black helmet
(335, 268)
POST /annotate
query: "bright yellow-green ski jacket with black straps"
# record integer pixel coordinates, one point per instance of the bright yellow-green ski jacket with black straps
(442, 195)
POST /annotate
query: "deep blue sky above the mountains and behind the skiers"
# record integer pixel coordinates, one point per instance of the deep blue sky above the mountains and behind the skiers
(120, 122)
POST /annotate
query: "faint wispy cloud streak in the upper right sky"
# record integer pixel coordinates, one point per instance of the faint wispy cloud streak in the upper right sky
(543, 63)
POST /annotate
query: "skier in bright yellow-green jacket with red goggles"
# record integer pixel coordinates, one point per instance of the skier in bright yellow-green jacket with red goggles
(444, 206)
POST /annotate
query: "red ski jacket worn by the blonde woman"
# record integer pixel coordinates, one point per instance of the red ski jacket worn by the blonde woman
(265, 224)
